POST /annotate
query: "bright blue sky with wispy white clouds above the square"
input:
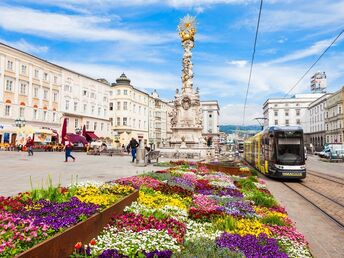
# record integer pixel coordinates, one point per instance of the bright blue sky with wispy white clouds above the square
(104, 38)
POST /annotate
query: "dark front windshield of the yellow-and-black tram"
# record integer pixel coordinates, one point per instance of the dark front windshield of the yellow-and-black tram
(290, 151)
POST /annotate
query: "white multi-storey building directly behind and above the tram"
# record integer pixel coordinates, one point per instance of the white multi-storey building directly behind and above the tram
(289, 111)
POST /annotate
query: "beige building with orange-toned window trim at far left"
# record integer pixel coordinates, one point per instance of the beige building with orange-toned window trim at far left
(29, 92)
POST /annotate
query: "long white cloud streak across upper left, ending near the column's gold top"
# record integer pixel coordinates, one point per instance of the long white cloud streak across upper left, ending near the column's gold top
(73, 27)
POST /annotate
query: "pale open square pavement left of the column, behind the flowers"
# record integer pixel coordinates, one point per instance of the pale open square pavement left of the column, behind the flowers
(16, 169)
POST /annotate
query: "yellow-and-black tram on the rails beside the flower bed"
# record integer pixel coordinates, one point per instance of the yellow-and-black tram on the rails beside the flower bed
(277, 152)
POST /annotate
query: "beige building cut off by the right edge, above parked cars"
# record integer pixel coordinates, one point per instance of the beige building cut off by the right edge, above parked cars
(334, 120)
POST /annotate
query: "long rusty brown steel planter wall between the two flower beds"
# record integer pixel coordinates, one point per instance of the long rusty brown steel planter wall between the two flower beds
(62, 244)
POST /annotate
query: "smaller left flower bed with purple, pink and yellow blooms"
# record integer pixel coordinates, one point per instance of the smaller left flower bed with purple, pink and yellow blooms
(31, 218)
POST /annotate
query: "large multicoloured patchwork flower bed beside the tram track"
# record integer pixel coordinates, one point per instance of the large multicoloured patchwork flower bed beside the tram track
(189, 211)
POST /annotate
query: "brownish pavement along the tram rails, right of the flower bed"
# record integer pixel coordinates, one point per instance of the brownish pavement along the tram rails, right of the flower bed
(324, 235)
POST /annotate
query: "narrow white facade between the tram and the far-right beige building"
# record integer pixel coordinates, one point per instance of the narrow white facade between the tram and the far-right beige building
(316, 119)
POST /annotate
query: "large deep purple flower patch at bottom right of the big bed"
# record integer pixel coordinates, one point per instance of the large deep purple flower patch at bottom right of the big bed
(261, 246)
